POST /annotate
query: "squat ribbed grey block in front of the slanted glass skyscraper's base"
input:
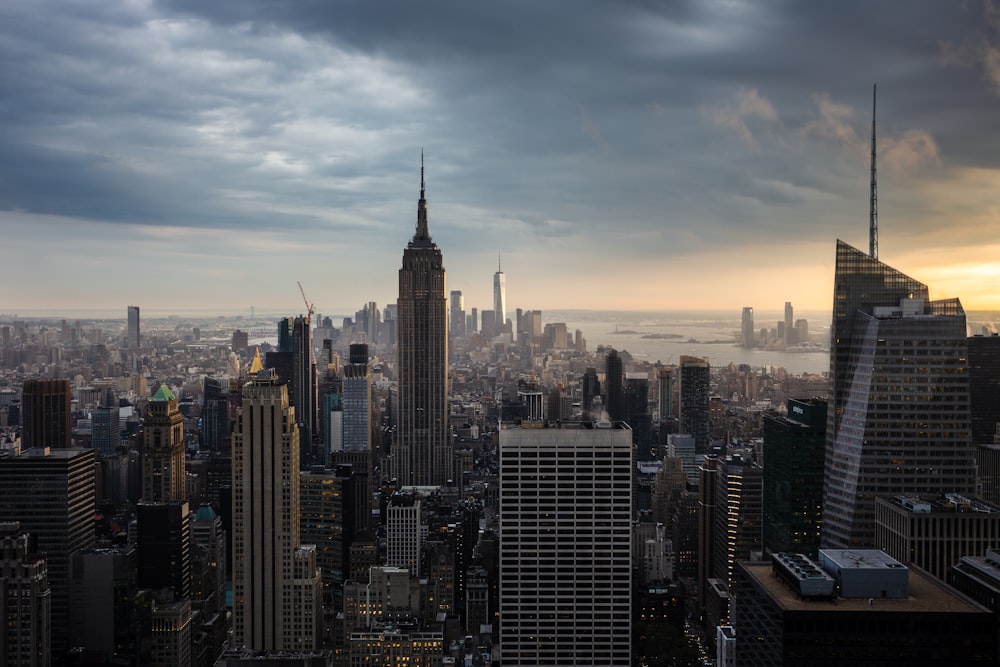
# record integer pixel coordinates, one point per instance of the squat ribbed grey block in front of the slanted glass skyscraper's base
(934, 532)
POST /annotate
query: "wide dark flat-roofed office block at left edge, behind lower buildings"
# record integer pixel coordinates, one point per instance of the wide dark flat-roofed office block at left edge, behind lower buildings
(51, 493)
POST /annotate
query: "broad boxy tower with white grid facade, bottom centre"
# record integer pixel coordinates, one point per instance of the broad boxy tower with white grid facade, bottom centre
(565, 556)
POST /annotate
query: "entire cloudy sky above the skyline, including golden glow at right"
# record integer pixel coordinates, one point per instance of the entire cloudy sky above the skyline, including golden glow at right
(627, 155)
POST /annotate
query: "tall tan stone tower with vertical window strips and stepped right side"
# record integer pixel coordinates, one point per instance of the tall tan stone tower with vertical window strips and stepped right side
(276, 584)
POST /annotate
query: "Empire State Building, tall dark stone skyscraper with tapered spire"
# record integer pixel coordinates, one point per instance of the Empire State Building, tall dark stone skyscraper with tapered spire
(423, 454)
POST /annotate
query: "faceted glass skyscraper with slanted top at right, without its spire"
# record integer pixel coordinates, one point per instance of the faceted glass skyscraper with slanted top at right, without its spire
(899, 419)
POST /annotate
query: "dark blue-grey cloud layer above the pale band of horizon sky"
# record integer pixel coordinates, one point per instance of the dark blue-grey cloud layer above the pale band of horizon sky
(677, 126)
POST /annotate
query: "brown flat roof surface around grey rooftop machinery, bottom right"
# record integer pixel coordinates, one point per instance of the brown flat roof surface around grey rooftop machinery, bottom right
(926, 595)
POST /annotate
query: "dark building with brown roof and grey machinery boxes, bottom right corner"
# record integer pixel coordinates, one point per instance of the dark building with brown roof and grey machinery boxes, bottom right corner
(856, 607)
